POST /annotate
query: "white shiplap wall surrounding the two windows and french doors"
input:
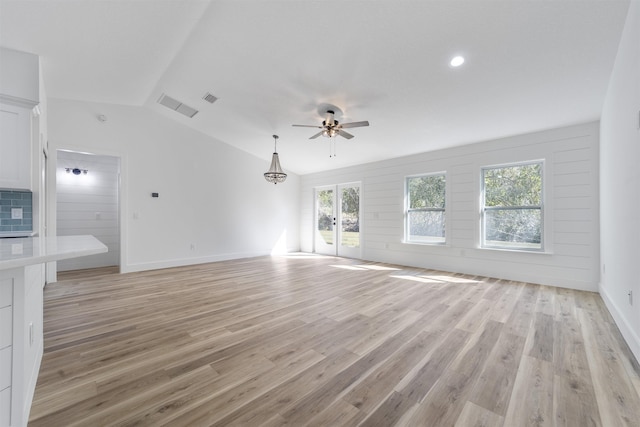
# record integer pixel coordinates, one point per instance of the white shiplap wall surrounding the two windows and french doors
(571, 235)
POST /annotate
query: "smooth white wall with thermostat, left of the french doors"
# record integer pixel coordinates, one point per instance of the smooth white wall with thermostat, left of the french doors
(214, 203)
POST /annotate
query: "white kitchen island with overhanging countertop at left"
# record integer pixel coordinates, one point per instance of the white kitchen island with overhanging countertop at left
(21, 314)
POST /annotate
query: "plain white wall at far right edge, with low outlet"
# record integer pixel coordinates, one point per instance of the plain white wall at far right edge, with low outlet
(620, 185)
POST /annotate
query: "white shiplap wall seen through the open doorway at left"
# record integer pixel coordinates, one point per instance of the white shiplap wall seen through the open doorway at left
(88, 204)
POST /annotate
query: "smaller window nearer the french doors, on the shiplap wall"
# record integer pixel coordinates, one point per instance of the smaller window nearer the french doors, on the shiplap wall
(425, 218)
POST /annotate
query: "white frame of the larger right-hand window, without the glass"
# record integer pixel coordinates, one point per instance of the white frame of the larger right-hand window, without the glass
(540, 208)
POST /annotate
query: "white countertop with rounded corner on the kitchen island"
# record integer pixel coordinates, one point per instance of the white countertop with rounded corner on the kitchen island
(23, 251)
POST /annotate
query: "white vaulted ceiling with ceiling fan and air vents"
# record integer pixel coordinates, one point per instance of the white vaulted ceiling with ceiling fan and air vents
(530, 65)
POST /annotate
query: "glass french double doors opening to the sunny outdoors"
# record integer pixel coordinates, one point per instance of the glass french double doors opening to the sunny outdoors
(337, 220)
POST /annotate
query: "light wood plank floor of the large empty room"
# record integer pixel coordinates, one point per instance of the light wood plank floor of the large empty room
(304, 340)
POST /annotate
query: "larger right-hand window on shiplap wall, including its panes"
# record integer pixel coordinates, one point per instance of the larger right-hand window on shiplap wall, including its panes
(512, 208)
